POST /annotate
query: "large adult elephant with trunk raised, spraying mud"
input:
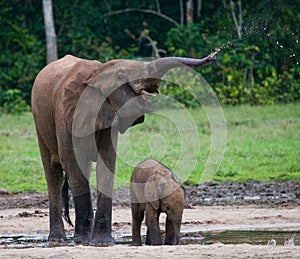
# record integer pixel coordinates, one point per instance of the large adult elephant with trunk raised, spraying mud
(79, 106)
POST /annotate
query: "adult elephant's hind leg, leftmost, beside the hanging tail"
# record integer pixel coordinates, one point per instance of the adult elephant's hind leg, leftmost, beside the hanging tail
(54, 178)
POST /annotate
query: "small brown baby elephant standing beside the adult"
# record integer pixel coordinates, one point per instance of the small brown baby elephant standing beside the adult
(155, 189)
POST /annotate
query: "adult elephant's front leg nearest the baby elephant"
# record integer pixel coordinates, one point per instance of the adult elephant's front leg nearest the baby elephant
(106, 143)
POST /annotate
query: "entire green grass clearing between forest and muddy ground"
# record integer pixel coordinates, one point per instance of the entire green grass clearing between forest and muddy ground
(262, 143)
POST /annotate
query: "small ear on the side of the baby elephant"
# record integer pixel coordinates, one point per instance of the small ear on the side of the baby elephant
(151, 191)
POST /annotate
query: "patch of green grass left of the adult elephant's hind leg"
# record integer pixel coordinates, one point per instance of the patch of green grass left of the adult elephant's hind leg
(20, 163)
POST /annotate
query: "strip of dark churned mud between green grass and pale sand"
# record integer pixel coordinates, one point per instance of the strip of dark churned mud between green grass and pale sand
(208, 194)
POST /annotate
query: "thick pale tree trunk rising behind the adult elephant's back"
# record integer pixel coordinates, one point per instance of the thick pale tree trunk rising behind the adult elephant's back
(50, 31)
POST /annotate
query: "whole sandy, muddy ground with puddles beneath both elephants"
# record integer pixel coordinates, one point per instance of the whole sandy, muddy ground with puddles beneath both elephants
(228, 220)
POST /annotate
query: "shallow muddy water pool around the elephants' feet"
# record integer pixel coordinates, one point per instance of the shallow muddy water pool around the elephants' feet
(253, 237)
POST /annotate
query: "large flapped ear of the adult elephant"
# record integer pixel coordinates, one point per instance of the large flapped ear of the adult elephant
(85, 108)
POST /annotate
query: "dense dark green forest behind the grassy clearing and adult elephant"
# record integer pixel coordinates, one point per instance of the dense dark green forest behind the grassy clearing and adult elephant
(259, 42)
